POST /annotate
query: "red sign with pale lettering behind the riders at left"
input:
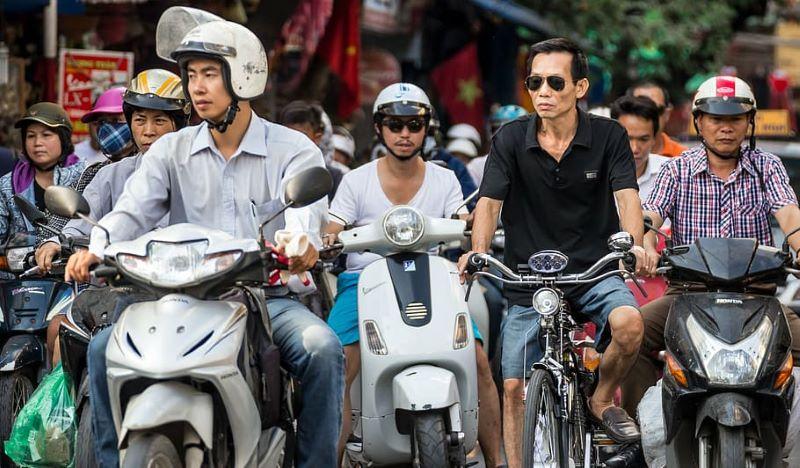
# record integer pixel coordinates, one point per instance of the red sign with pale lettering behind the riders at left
(84, 75)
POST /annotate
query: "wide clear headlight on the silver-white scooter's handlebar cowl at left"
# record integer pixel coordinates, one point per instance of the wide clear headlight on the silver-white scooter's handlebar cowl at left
(172, 265)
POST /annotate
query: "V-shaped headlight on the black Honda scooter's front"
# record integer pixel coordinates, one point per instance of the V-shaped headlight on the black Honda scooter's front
(730, 364)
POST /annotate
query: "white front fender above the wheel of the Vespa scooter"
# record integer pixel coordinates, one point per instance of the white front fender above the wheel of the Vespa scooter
(424, 387)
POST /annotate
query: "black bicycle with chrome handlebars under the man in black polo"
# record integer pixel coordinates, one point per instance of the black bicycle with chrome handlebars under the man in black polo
(557, 429)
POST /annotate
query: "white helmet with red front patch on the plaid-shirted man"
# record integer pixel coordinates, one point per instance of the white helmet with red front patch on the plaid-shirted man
(724, 95)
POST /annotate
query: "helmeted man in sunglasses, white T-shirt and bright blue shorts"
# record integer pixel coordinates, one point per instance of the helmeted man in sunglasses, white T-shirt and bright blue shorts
(401, 116)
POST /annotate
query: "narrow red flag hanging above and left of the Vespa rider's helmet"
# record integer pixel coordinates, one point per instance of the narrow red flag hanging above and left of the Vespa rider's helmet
(340, 48)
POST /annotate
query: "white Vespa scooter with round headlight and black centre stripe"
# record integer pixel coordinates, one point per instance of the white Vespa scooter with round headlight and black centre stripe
(418, 386)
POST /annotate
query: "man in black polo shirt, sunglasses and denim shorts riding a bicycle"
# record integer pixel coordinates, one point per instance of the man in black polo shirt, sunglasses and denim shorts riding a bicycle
(566, 181)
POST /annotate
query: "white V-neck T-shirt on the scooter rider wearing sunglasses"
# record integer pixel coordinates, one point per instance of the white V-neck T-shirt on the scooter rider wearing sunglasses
(360, 200)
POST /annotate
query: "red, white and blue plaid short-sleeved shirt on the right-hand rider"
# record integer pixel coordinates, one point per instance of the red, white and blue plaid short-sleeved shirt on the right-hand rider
(700, 204)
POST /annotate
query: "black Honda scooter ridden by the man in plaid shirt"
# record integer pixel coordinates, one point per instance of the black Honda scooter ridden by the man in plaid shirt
(727, 385)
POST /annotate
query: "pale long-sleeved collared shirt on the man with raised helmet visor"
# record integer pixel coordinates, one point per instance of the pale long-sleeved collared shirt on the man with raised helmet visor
(185, 175)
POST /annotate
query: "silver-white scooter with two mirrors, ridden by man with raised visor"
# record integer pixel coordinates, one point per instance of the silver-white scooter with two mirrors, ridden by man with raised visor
(189, 381)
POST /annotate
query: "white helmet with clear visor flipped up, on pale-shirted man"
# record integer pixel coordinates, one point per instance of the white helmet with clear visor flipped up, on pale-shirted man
(240, 51)
